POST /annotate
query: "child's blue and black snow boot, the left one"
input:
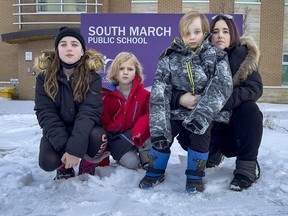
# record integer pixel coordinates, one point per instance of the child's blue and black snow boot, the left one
(156, 168)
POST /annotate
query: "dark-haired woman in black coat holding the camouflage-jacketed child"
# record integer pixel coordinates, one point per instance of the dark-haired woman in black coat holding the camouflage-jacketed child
(240, 138)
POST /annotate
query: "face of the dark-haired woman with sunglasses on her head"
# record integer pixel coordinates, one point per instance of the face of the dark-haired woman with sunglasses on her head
(221, 35)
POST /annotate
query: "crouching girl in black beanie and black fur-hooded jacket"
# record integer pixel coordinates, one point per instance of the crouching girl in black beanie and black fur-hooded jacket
(68, 106)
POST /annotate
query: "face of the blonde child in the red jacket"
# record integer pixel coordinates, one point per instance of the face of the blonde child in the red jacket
(127, 72)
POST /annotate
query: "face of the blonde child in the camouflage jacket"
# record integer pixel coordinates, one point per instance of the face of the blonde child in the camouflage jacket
(194, 36)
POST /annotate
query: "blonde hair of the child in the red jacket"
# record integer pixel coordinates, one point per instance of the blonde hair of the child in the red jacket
(115, 67)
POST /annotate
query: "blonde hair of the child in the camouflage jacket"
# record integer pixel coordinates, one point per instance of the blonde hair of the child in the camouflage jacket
(188, 18)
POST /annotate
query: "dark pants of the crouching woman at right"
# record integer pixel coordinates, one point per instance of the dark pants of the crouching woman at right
(242, 136)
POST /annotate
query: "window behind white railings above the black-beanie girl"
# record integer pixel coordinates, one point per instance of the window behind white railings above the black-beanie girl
(61, 5)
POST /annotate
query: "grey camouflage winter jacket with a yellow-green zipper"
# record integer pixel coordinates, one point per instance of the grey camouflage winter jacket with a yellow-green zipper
(211, 77)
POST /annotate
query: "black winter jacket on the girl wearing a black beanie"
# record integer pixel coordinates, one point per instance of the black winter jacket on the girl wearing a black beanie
(66, 123)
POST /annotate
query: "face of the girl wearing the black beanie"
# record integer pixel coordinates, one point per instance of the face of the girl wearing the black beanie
(70, 50)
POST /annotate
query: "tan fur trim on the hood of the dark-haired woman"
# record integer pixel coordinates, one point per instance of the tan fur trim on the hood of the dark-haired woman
(250, 63)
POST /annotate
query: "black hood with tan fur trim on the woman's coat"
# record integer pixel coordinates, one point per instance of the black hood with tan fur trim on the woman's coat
(251, 59)
